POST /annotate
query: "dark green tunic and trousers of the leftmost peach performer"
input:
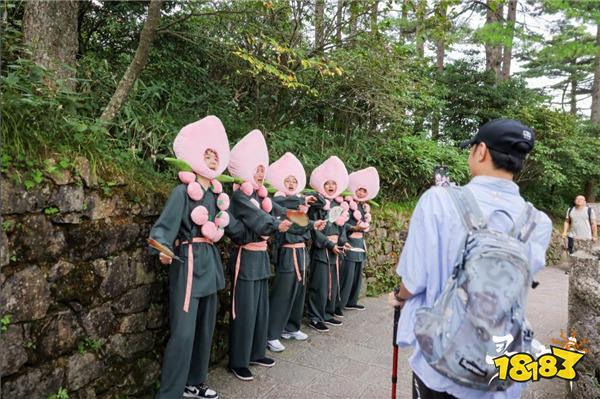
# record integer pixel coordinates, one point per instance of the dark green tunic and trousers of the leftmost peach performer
(187, 354)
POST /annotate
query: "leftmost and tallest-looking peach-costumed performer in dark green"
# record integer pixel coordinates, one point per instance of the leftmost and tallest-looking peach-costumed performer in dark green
(193, 219)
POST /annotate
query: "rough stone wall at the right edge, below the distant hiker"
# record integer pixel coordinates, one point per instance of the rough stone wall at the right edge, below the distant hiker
(584, 315)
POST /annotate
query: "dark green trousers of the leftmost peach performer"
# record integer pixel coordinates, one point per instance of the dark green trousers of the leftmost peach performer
(188, 351)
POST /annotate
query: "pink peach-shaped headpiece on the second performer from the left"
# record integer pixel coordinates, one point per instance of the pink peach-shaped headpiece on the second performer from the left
(247, 155)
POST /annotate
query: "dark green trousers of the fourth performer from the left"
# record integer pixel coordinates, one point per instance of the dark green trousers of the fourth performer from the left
(320, 306)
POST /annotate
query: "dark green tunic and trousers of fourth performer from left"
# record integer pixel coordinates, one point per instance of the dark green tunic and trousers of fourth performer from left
(322, 302)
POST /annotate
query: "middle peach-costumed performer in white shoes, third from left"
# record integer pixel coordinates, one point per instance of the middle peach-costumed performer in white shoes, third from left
(286, 303)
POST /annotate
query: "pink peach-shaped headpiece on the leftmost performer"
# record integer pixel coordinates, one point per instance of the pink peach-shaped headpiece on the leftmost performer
(194, 139)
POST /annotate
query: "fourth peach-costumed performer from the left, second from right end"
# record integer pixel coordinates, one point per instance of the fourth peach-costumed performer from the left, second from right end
(329, 179)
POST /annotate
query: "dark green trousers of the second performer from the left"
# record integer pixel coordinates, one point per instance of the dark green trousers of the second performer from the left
(248, 331)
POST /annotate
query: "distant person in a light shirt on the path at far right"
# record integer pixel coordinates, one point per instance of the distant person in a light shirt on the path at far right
(580, 223)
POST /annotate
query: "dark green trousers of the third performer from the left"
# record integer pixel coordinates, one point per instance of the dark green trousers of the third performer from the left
(286, 304)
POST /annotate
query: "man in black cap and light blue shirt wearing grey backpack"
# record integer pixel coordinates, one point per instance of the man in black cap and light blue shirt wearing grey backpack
(491, 203)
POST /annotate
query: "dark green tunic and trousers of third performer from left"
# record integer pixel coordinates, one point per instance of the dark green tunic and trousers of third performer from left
(286, 302)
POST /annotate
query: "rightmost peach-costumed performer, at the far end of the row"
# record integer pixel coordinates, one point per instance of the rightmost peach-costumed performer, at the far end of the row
(364, 185)
